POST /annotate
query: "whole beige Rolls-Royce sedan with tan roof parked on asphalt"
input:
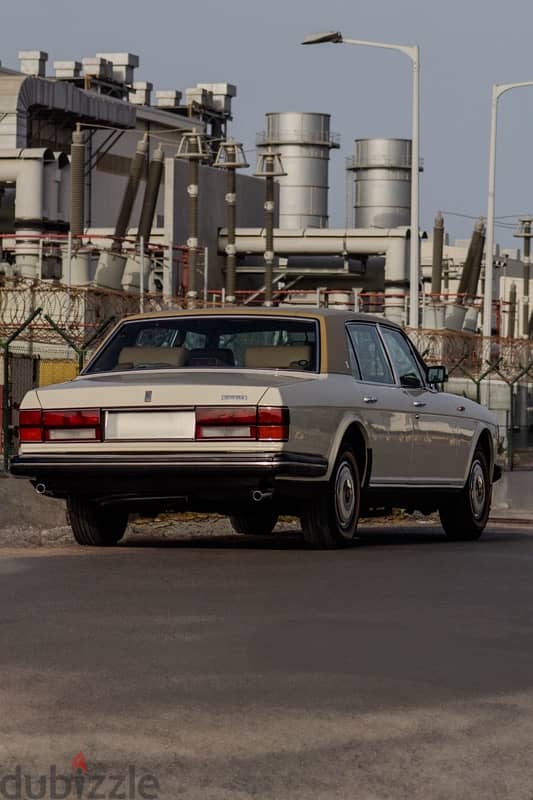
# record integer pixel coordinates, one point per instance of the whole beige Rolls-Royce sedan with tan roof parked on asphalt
(255, 413)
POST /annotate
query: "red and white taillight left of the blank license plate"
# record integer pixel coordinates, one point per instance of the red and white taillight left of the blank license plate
(60, 425)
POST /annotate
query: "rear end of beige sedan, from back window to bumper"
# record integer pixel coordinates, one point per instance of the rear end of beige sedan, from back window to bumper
(159, 422)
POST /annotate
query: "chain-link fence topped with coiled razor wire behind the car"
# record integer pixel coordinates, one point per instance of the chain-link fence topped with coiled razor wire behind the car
(47, 330)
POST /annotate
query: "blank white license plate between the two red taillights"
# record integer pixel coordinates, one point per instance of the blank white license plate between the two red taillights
(150, 425)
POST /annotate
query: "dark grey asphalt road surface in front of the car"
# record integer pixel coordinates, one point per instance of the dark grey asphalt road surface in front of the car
(239, 667)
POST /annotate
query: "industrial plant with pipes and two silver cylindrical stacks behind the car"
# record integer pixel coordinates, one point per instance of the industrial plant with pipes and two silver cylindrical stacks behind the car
(116, 196)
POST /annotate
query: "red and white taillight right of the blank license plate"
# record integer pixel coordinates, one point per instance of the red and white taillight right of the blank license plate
(242, 422)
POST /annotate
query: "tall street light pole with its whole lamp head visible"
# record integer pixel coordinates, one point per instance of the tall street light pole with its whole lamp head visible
(413, 52)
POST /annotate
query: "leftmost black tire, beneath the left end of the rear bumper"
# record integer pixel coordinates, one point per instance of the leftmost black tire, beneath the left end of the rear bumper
(93, 525)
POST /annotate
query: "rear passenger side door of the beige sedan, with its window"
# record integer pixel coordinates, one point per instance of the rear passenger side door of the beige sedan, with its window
(387, 411)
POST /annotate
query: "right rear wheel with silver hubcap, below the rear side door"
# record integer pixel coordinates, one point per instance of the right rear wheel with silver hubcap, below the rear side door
(330, 518)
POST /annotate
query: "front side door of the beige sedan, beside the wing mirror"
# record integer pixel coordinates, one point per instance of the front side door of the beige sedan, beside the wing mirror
(435, 455)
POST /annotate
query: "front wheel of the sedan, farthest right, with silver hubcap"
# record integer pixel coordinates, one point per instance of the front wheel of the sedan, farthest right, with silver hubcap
(465, 517)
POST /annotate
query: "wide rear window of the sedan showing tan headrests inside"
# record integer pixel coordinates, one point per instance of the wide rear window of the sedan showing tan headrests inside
(211, 342)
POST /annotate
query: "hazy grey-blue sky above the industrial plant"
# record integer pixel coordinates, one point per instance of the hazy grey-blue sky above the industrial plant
(466, 46)
